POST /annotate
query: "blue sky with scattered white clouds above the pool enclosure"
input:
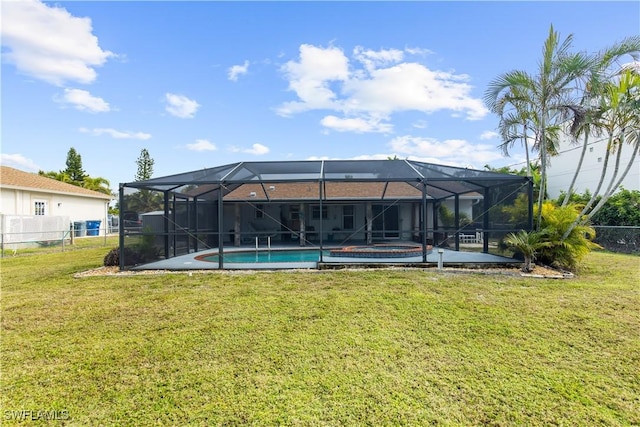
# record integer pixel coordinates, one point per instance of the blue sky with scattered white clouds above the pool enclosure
(206, 83)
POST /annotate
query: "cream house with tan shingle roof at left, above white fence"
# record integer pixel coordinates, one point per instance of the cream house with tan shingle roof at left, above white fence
(31, 196)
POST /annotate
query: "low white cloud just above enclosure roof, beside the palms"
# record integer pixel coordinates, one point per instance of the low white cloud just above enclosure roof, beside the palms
(457, 152)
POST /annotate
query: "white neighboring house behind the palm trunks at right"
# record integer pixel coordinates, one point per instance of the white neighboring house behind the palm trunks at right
(562, 168)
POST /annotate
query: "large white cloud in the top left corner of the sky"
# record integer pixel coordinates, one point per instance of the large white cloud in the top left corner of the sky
(50, 44)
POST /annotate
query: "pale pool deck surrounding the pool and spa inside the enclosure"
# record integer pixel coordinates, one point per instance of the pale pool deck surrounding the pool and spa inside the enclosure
(449, 258)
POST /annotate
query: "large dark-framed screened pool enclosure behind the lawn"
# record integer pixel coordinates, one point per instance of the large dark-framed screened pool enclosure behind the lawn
(339, 207)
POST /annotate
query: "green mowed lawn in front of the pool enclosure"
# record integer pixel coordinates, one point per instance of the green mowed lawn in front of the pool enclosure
(374, 347)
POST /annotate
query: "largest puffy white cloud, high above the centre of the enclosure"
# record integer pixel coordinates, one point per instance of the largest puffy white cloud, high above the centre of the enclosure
(325, 79)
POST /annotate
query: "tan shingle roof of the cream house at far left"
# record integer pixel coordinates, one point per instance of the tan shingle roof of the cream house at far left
(14, 178)
